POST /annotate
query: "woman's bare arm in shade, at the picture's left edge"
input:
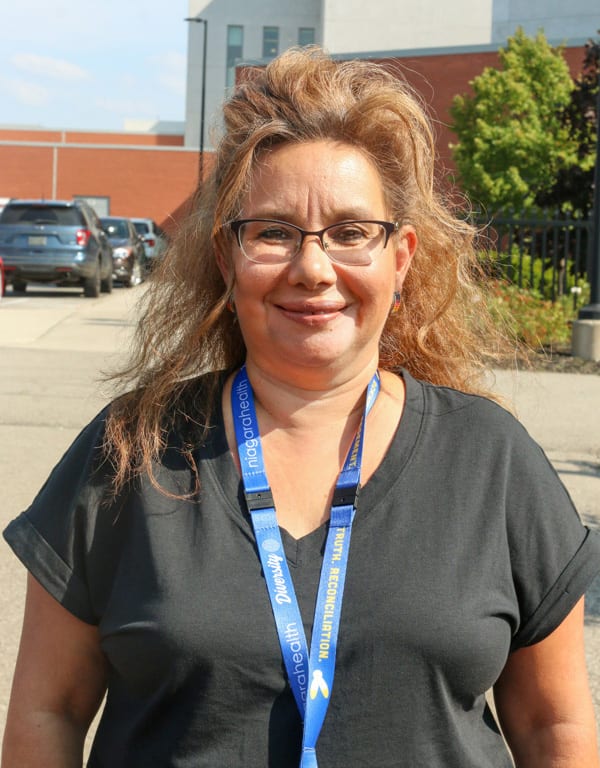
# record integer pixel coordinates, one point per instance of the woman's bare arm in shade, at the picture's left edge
(59, 682)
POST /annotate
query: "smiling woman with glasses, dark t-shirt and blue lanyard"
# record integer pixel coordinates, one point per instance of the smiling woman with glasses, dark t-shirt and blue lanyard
(202, 554)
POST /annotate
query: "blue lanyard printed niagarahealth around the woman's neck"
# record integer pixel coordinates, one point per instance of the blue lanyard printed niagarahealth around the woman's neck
(310, 676)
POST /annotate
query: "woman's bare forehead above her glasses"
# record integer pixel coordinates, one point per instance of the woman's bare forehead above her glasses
(317, 178)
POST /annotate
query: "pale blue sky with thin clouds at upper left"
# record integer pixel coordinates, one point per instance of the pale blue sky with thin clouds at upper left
(77, 64)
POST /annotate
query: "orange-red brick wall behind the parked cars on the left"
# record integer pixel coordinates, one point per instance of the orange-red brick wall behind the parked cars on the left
(144, 180)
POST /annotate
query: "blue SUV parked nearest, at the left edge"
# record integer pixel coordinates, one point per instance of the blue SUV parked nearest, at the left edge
(55, 241)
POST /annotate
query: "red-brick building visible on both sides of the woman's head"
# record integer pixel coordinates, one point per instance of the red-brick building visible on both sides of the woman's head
(154, 175)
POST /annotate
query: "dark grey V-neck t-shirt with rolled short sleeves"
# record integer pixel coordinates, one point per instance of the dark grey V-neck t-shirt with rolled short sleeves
(465, 546)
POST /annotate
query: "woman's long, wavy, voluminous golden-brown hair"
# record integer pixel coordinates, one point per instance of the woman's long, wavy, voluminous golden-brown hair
(442, 333)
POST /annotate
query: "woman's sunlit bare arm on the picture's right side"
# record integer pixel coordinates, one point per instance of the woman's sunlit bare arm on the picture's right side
(544, 703)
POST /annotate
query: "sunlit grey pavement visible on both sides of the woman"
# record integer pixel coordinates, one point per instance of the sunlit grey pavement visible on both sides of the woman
(53, 346)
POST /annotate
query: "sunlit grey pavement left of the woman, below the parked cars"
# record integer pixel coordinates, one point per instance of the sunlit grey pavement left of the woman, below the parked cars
(54, 346)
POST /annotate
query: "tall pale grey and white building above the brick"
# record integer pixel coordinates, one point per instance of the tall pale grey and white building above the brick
(256, 30)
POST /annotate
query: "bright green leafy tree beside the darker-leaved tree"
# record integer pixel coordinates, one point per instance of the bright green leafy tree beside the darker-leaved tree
(511, 138)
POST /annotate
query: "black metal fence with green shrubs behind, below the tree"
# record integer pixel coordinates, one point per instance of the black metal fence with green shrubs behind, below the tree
(549, 253)
